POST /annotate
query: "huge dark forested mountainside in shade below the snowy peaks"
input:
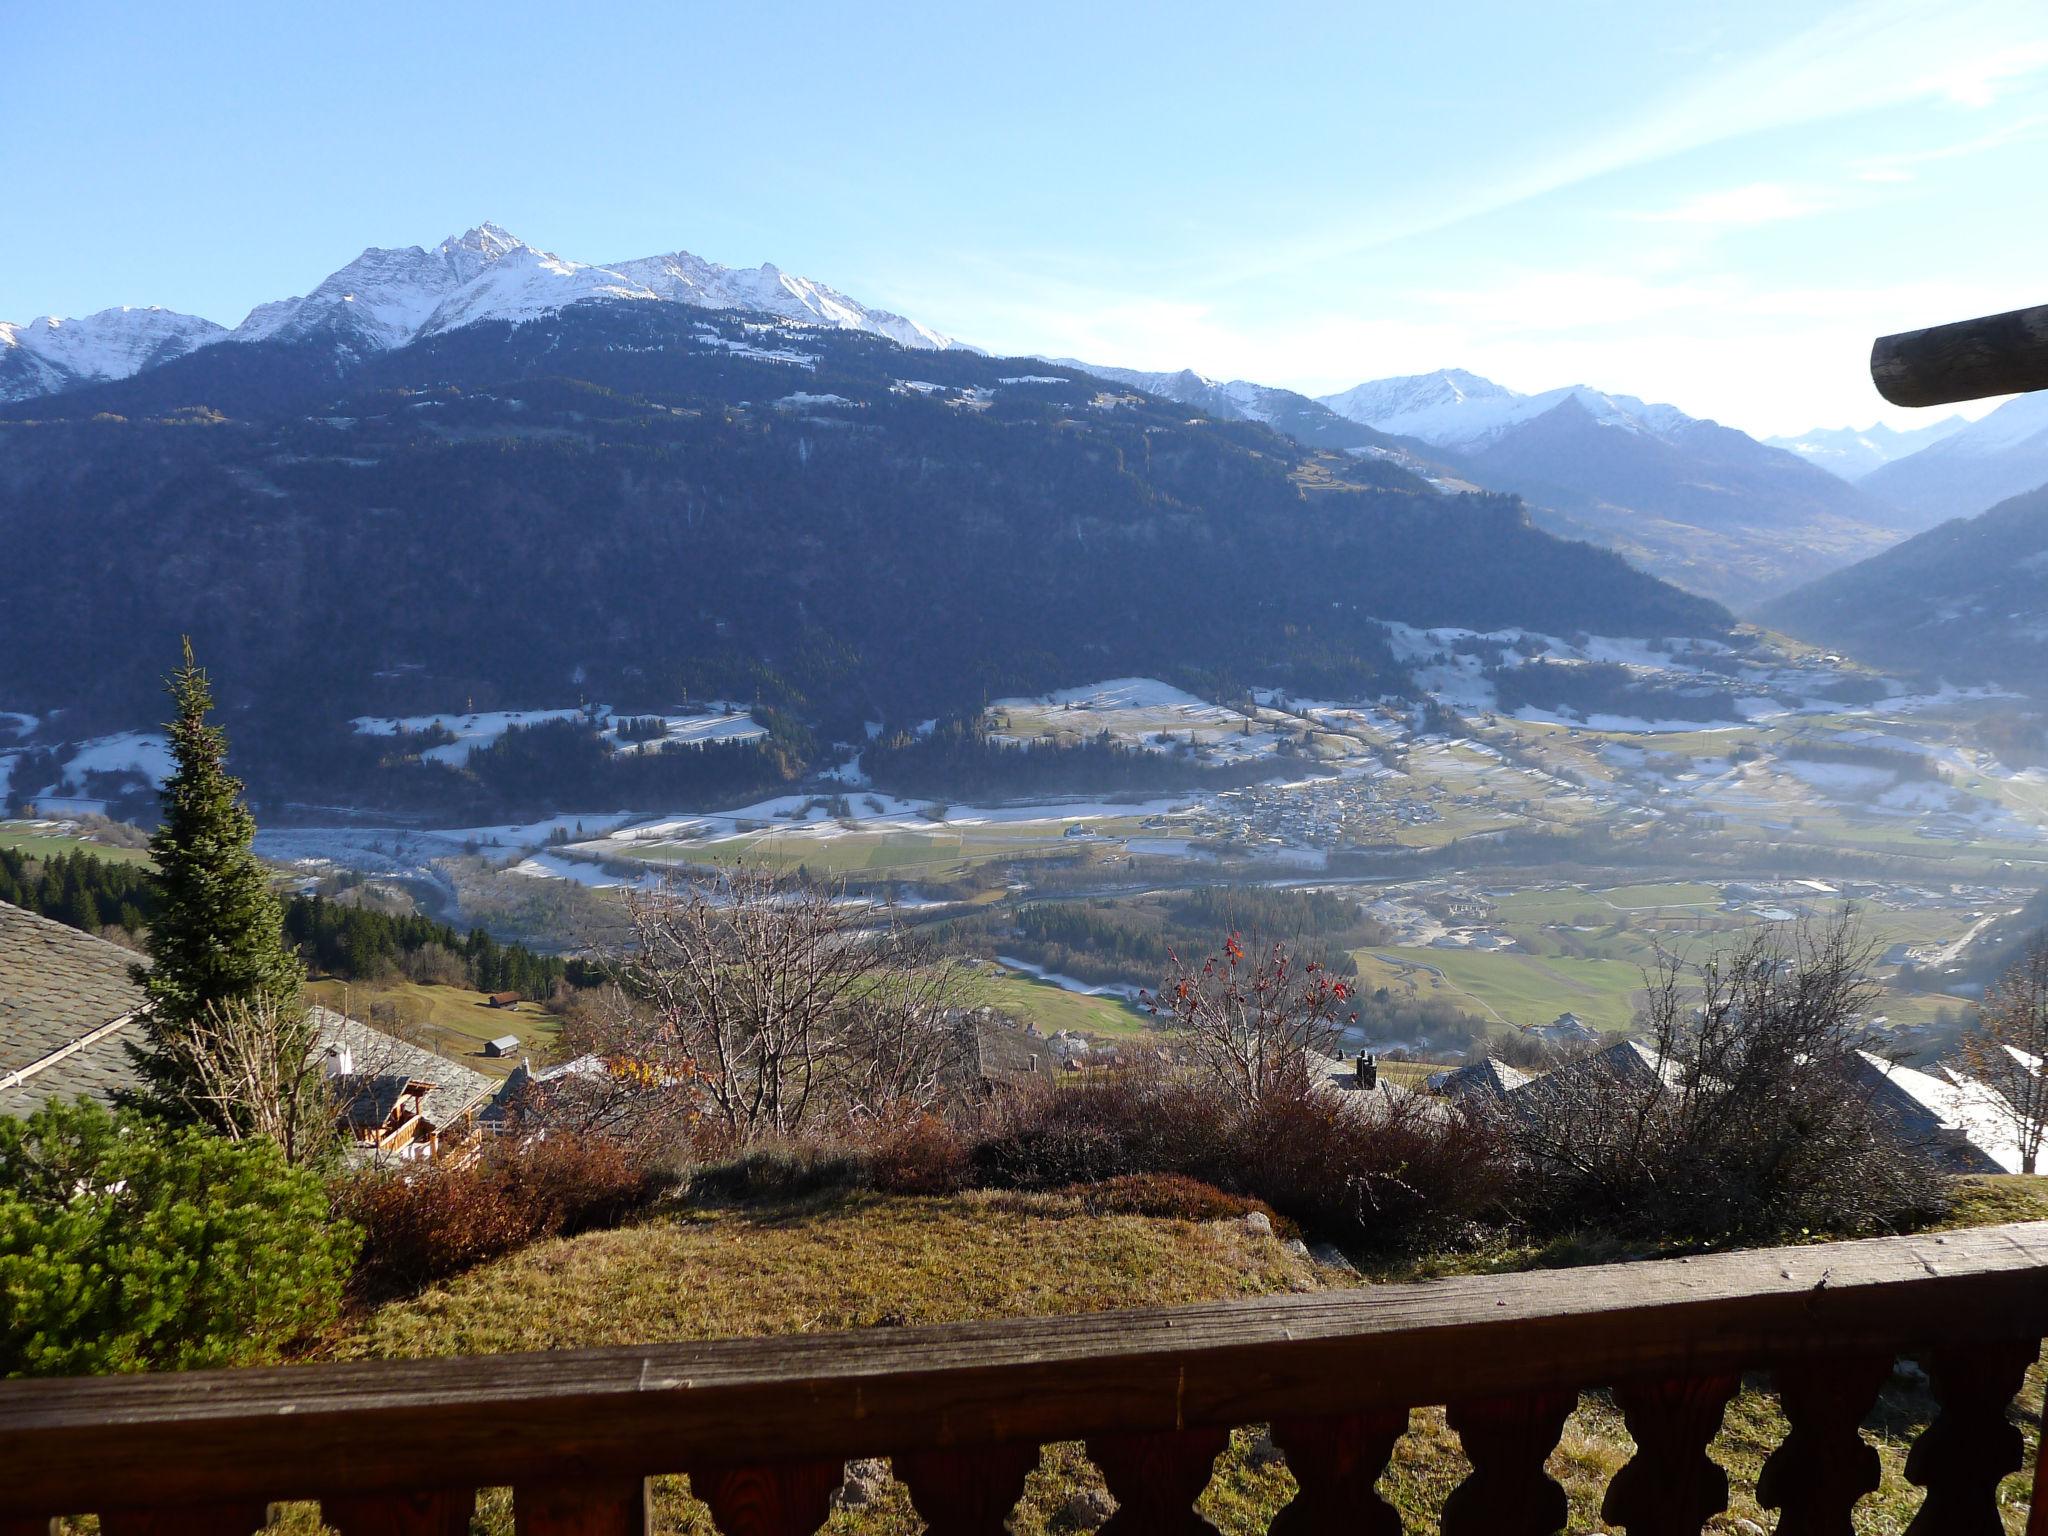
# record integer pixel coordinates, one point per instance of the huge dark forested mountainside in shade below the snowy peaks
(640, 505)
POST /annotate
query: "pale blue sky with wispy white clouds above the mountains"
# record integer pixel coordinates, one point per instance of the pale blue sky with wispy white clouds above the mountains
(1705, 206)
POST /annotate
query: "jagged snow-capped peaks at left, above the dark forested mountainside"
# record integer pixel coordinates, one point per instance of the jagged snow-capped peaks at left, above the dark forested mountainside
(390, 298)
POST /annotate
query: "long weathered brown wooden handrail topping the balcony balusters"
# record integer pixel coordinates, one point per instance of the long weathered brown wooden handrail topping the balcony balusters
(366, 1428)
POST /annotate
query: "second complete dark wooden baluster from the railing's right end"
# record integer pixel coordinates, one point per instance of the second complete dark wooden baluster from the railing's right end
(1824, 1465)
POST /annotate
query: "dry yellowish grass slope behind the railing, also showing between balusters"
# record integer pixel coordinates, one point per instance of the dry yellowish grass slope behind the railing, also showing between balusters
(867, 1263)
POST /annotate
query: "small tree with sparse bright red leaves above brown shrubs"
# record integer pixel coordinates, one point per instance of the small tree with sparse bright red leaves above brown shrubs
(1254, 1023)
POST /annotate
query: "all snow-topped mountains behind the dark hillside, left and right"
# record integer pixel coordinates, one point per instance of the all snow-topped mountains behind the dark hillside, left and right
(1691, 501)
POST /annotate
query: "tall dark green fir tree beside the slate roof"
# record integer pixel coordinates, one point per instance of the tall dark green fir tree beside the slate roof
(218, 935)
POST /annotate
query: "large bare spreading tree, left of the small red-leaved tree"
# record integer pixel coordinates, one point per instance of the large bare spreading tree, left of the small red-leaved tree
(779, 1005)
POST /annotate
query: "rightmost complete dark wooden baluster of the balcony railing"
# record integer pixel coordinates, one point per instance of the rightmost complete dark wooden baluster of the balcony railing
(1971, 1445)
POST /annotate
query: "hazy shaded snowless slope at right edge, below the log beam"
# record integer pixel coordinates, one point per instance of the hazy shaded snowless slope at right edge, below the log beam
(1965, 601)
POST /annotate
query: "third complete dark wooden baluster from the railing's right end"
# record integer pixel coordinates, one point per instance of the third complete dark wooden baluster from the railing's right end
(1670, 1488)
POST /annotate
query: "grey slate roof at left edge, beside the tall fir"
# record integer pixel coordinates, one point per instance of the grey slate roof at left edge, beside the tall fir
(67, 1015)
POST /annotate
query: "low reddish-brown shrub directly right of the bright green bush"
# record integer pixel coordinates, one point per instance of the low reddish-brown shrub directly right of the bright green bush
(437, 1220)
